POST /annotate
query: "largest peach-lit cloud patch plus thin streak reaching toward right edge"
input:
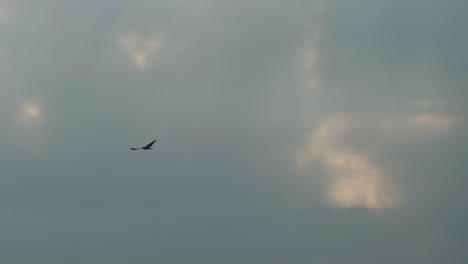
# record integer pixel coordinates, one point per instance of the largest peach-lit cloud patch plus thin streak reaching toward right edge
(356, 180)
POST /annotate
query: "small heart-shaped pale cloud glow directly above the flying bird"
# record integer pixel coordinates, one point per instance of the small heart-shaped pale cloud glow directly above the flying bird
(141, 51)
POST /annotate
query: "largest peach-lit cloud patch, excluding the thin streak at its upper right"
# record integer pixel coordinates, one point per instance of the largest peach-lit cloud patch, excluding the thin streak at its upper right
(356, 180)
